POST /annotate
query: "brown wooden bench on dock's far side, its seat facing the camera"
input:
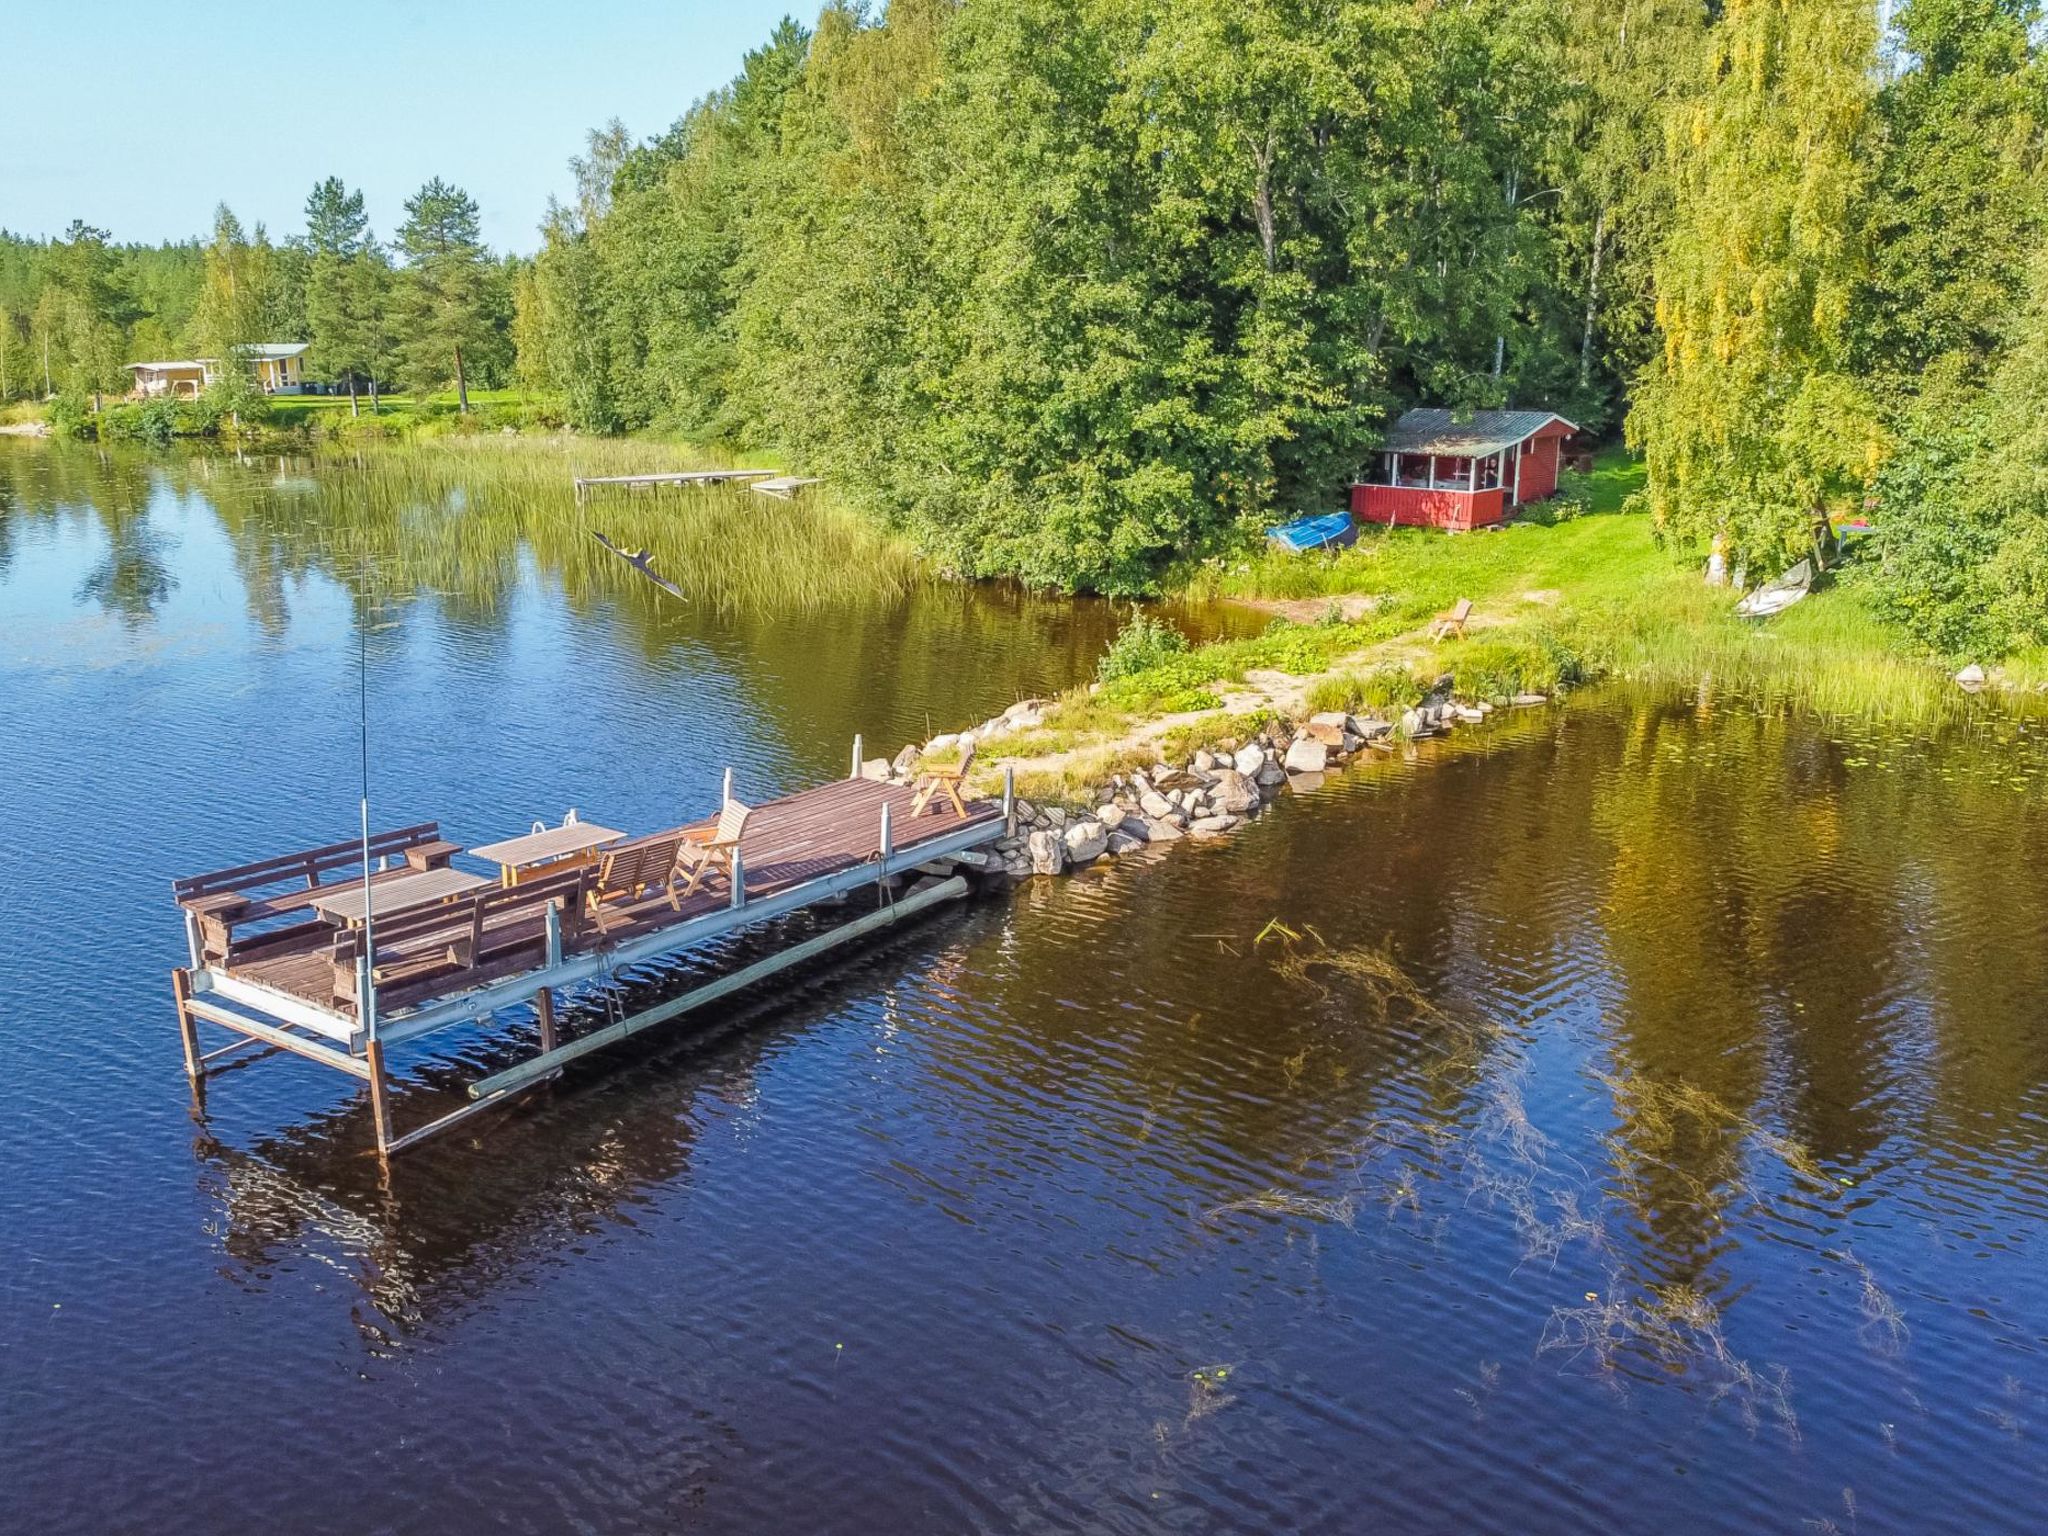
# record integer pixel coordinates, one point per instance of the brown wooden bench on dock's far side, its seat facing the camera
(245, 896)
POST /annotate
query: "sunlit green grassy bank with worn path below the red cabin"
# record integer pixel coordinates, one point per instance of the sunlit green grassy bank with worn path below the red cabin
(1568, 597)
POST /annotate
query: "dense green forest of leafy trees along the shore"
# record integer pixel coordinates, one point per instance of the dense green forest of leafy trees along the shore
(1074, 290)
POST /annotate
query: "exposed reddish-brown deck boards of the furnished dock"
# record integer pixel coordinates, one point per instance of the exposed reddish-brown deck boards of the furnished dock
(790, 843)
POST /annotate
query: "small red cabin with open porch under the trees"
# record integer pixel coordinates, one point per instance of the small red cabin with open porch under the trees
(1441, 472)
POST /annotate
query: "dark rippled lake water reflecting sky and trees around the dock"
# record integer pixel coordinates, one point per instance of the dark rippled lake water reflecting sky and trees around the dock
(1633, 1117)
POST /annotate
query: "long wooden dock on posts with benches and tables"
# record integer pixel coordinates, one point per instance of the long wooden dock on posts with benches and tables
(280, 953)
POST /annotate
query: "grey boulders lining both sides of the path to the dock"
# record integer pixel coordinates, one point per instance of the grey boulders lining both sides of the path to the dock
(1209, 796)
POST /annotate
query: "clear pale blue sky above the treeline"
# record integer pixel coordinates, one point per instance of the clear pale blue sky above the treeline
(142, 116)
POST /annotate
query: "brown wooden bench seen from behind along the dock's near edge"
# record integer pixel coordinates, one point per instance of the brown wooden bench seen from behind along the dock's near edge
(464, 943)
